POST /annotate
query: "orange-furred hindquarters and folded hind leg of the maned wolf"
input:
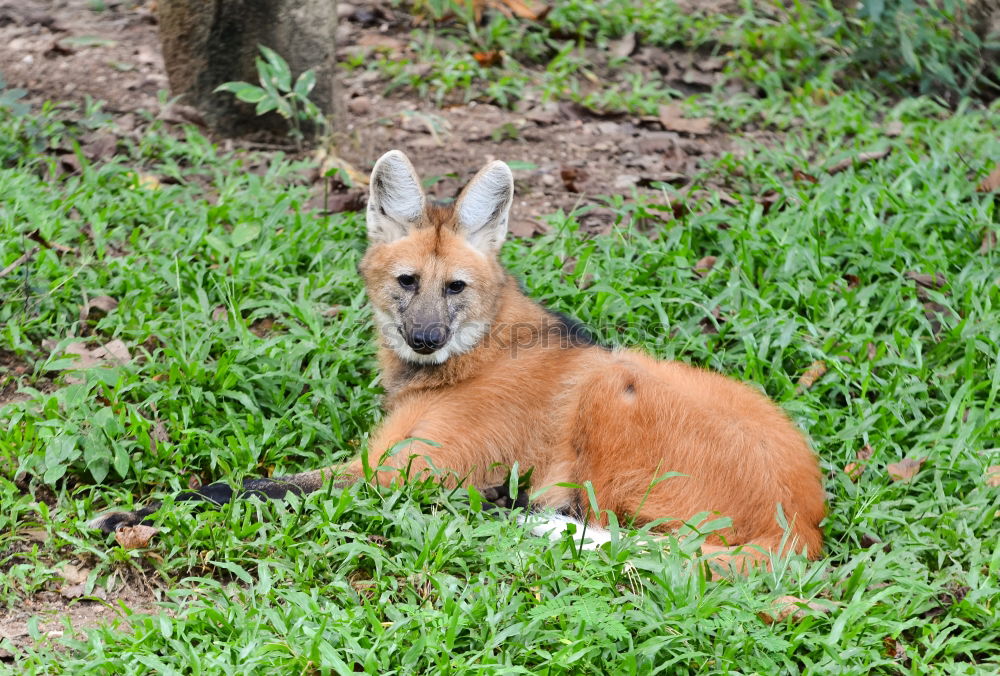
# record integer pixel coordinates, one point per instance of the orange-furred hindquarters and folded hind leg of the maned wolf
(637, 421)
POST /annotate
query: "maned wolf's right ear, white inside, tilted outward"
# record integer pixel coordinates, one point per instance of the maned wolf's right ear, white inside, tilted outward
(483, 206)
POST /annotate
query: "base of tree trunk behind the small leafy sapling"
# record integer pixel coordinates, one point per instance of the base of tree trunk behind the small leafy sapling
(208, 42)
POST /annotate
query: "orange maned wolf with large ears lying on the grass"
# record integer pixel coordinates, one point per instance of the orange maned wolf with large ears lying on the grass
(468, 361)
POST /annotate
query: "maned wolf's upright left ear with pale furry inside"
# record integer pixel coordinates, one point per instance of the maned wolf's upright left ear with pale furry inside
(395, 200)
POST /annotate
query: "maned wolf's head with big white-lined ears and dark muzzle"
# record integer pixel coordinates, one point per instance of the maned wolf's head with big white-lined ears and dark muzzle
(432, 273)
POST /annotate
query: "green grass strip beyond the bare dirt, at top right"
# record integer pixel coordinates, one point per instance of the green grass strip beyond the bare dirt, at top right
(888, 46)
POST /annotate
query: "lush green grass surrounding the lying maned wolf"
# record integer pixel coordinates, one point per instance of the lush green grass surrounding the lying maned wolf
(414, 579)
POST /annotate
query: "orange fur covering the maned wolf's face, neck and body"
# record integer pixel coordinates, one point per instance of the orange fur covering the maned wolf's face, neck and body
(618, 419)
